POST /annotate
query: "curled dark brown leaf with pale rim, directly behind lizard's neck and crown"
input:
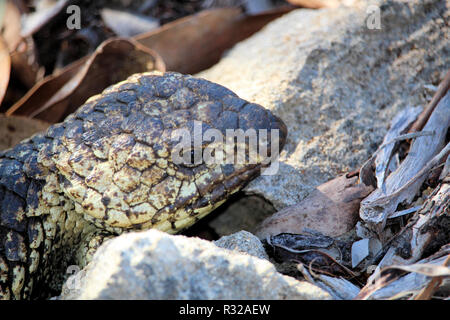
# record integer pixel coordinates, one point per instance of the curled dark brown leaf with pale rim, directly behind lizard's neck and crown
(113, 61)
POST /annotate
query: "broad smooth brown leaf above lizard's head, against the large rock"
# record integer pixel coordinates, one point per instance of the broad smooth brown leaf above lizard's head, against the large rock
(196, 42)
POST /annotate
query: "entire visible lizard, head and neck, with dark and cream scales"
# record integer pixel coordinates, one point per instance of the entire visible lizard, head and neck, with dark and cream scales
(107, 169)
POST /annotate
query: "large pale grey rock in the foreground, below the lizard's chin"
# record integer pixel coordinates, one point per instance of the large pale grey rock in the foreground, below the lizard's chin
(155, 265)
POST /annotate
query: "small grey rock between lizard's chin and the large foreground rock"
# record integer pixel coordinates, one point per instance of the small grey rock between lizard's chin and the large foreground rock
(243, 242)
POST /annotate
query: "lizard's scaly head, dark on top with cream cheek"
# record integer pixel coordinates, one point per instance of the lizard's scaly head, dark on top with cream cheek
(163, 150)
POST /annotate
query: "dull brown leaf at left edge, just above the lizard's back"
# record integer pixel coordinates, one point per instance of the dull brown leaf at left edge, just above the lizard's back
(15, 129)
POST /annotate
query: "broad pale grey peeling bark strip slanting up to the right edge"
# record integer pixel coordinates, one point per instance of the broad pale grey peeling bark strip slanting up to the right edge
(403, 184)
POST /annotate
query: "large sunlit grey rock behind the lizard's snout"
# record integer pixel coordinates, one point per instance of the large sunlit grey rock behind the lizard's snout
(336, 83)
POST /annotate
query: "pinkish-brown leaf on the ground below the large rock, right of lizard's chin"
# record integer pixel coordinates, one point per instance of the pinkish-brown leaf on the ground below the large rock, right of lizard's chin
(331, 209)
